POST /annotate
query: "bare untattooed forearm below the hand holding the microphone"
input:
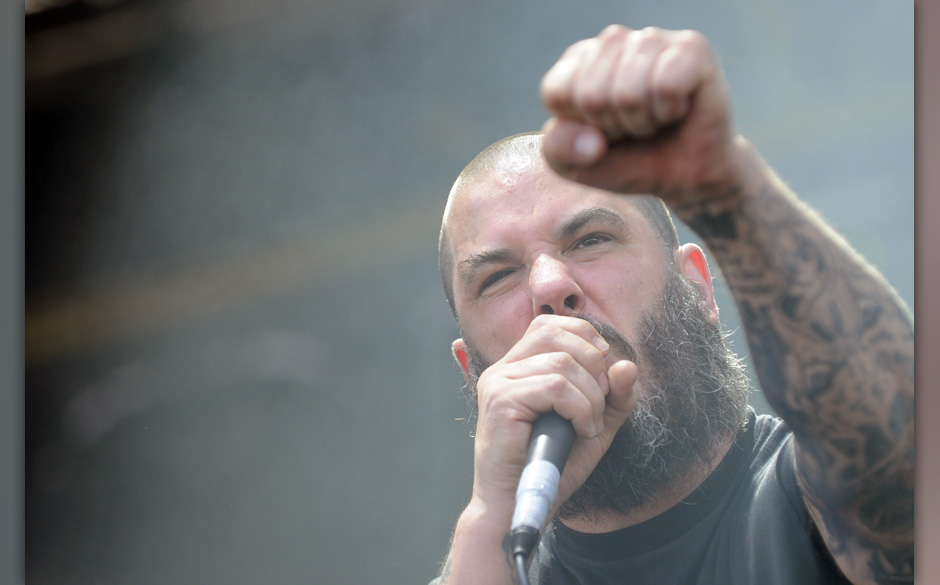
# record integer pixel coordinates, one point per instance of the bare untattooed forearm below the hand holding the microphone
(478, 553)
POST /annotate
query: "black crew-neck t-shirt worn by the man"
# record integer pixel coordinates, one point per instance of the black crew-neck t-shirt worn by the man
(746, 524)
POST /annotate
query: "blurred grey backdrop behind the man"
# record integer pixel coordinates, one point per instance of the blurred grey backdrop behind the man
(237, 360)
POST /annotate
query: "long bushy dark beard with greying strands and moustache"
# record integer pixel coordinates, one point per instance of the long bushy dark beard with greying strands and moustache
(694, 395)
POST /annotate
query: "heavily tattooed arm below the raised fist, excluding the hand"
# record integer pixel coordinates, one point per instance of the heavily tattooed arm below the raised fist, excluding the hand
(833, 347)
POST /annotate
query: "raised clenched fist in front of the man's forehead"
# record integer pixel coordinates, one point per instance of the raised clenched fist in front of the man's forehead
(642, 111)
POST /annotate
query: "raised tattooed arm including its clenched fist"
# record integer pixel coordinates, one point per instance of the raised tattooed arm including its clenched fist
(648, 111)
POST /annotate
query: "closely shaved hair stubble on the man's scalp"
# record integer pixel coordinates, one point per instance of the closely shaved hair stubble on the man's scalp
(512, 157)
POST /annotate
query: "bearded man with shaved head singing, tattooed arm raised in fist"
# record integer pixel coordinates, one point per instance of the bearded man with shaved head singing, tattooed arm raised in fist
(573, 295)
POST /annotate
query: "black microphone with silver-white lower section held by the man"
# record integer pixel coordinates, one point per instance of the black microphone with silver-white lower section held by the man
(552, 437)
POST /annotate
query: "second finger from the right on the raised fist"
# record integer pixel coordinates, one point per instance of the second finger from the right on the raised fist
(631, 84)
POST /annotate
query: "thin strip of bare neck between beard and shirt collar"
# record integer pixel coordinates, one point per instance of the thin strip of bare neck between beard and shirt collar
(612, 521)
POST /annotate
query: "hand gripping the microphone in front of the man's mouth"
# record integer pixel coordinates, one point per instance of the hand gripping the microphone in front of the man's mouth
(562, 364)
